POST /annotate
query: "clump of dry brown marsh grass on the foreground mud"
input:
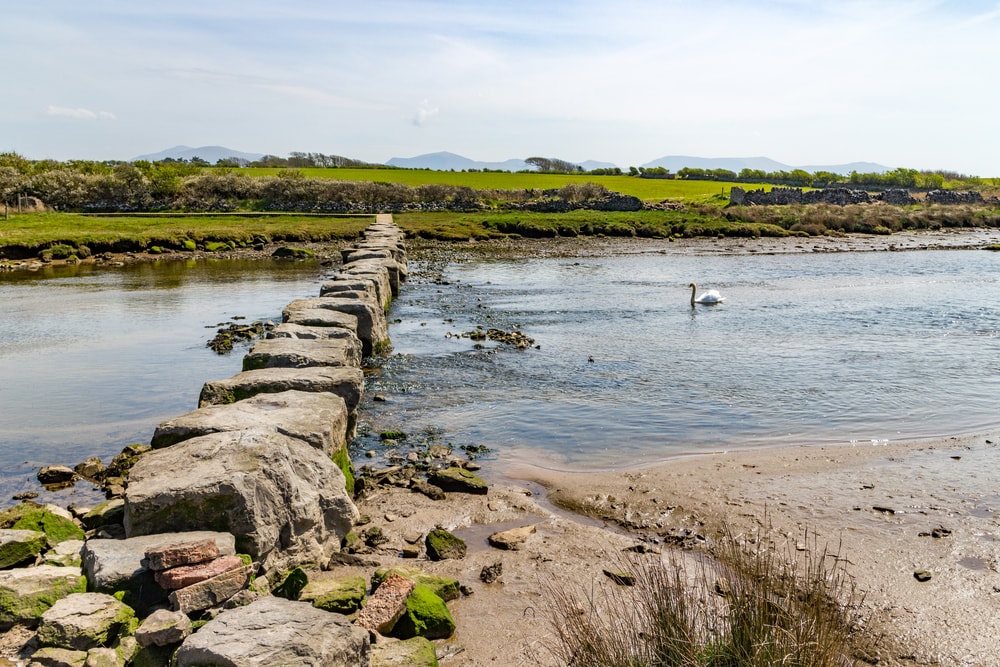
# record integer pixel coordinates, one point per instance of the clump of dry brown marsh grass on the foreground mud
(748, 605)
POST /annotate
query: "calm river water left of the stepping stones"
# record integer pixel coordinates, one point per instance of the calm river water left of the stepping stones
(92, 359)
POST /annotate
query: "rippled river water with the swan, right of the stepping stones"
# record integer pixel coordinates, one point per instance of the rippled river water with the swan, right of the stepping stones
(807, 348)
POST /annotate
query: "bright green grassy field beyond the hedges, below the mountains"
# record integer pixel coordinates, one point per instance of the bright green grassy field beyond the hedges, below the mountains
(647, 189)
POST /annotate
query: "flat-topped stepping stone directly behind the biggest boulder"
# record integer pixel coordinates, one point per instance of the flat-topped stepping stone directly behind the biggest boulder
(319, 419)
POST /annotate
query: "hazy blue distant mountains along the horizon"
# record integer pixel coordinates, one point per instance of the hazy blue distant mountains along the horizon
(445, 161)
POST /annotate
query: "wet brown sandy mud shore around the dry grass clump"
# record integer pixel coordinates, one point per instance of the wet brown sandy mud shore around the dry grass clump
(874, 505)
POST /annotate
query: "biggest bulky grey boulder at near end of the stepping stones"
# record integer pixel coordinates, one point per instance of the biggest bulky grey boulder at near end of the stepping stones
(285, 501)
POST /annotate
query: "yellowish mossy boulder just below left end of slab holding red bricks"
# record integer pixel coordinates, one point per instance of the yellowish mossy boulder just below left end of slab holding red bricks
(83, 621)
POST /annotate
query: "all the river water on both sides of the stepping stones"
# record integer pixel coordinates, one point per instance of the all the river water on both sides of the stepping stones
(807, 348)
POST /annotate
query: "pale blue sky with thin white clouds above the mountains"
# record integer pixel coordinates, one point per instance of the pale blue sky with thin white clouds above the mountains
(904, 84)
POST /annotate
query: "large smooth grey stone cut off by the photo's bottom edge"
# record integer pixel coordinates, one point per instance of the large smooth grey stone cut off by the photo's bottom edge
(273, 631)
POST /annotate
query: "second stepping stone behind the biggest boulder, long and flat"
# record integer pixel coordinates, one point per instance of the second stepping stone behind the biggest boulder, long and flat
(348, 383)
